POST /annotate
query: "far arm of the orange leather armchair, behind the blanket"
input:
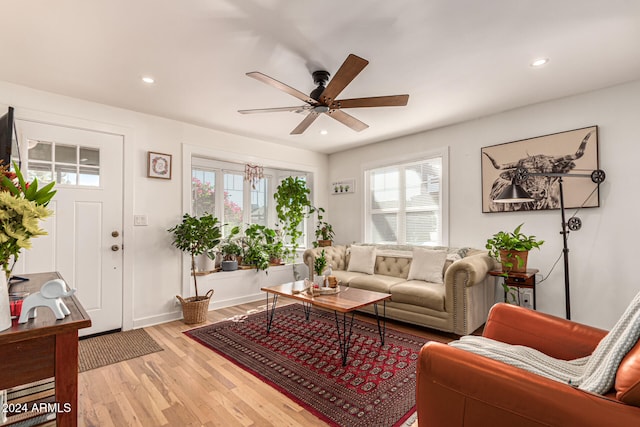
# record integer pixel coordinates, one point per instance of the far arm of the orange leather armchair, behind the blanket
(554, 336)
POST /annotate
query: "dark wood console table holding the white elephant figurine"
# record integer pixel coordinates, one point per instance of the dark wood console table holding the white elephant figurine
(45, 347)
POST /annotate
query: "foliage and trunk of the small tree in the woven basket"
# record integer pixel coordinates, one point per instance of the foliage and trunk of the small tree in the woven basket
(196, 236)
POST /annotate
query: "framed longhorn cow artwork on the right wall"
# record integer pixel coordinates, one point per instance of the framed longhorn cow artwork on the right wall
(571, 152)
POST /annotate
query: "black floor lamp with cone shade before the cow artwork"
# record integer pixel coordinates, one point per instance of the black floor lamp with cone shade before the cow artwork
(514, 193)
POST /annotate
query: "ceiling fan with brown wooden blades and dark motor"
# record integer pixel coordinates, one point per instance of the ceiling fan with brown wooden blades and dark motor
(323, 98)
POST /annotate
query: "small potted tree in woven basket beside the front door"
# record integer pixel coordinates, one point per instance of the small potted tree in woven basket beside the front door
(196, 236)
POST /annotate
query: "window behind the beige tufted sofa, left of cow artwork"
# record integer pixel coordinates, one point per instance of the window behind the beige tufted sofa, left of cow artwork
(405, 202)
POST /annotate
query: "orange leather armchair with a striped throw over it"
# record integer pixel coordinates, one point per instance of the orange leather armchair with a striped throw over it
(459, 388)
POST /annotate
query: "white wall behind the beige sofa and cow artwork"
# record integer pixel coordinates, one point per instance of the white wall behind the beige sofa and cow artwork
(602, 259)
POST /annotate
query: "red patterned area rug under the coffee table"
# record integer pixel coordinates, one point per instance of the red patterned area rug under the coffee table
(301, 359)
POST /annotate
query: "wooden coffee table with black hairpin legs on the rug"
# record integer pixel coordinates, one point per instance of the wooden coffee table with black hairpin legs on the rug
(348, 300)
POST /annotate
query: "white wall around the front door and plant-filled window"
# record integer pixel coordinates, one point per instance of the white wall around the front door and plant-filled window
(153, 270)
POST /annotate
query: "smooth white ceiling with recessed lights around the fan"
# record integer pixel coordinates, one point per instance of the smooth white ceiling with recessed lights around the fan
(458, 60)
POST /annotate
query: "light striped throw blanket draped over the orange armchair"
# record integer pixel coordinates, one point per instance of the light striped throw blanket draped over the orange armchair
(595, 373)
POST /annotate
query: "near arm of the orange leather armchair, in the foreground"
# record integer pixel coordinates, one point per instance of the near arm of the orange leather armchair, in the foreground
(459, 388)
